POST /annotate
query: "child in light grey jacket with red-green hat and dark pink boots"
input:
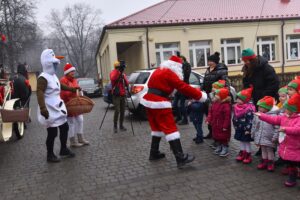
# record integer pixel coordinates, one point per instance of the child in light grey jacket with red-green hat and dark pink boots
(264, 134)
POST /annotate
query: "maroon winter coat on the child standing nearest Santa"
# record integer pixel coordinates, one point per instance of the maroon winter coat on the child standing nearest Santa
(219, 117)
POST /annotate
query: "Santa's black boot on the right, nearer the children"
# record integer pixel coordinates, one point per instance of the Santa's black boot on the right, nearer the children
(181, 158)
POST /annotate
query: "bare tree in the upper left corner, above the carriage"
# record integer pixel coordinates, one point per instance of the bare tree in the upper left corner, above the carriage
(18, 24)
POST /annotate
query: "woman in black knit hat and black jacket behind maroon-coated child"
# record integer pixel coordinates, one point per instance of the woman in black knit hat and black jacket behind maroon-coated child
(215, 72)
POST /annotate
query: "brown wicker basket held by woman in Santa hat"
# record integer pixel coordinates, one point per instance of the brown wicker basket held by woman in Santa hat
(79, 105)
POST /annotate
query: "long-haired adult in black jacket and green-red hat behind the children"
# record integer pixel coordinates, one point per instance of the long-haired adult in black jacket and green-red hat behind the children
(258, 73)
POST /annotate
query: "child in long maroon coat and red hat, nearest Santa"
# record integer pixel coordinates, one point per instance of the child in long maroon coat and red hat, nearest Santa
(219, 119)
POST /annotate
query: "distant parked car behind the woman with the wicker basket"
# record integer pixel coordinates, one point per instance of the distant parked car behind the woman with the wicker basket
(90, 87)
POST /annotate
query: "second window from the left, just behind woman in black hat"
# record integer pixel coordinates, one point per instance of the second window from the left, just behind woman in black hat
(199, 51)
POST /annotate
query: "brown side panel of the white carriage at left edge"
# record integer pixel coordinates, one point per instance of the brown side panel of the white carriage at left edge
(19, 115)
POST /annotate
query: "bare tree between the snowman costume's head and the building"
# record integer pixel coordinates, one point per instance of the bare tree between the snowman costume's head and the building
(78, 28)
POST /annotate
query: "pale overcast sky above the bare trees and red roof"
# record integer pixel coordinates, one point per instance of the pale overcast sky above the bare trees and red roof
(111, 9)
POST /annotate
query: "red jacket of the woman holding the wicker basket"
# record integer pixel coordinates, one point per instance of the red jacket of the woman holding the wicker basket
(66, 96)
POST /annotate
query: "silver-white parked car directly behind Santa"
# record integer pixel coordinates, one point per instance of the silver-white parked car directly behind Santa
(139, 86)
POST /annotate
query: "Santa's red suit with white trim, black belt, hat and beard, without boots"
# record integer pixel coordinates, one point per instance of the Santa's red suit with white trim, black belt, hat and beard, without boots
(165, 80)
